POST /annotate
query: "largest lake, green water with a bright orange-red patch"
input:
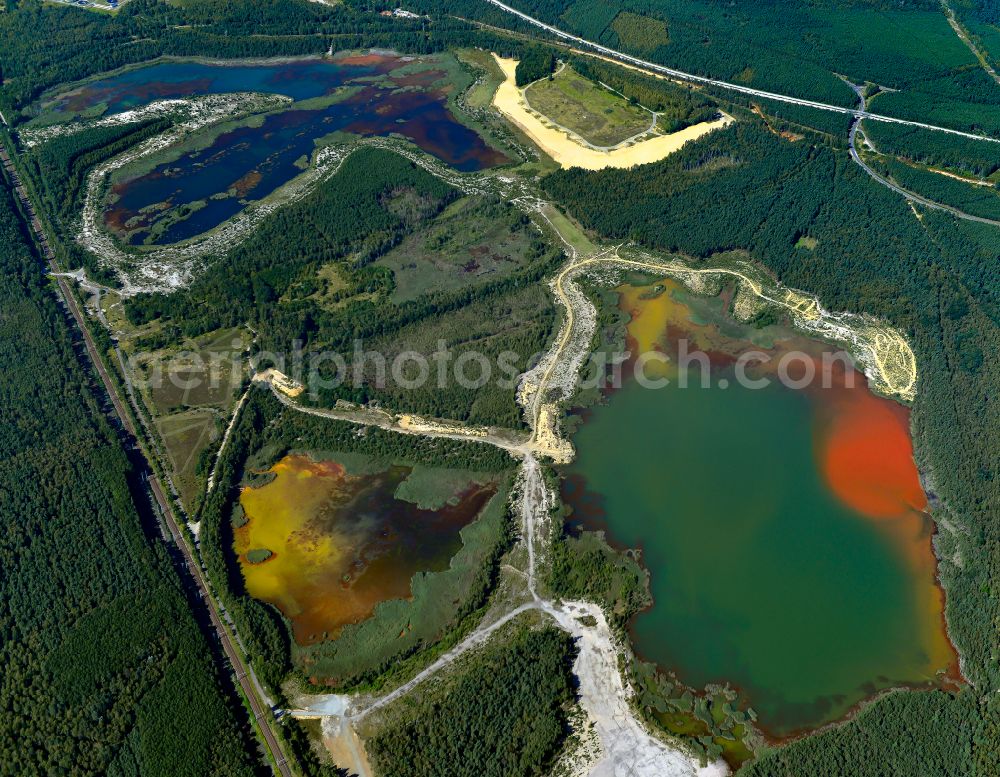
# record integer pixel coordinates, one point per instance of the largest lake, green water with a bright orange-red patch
(785, 530)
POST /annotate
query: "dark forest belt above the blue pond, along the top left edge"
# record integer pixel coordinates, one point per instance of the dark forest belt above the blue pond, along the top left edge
(88, 43)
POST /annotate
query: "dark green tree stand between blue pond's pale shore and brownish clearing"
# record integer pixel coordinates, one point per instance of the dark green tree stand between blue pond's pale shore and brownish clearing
(346, 215)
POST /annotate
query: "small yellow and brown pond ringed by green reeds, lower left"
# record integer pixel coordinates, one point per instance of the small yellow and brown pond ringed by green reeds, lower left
(341, 543)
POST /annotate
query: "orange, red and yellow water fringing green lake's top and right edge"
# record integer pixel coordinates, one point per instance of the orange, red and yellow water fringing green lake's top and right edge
(862, 444)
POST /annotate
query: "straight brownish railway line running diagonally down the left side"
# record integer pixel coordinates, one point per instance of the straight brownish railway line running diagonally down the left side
(260, 712)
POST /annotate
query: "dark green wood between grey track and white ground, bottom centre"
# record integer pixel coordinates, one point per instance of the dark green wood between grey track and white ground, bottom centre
(505, 715)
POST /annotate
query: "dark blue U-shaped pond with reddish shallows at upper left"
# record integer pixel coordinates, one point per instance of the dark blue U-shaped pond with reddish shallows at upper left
(190, 191)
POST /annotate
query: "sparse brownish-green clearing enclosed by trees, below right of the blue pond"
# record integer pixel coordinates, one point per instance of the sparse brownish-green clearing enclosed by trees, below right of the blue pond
(473, 241)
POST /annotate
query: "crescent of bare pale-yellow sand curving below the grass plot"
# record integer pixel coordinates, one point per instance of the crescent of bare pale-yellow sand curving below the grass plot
(509, 100)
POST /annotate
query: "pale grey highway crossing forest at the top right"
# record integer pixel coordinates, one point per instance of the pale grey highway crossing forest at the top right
(682, 76)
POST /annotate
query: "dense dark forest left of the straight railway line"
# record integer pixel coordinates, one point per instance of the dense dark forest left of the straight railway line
(105, 670)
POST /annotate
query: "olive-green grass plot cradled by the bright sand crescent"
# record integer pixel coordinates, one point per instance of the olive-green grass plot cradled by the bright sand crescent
(596, 114)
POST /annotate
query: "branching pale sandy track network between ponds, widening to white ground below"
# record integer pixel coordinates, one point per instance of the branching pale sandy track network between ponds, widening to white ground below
(627, 749)
